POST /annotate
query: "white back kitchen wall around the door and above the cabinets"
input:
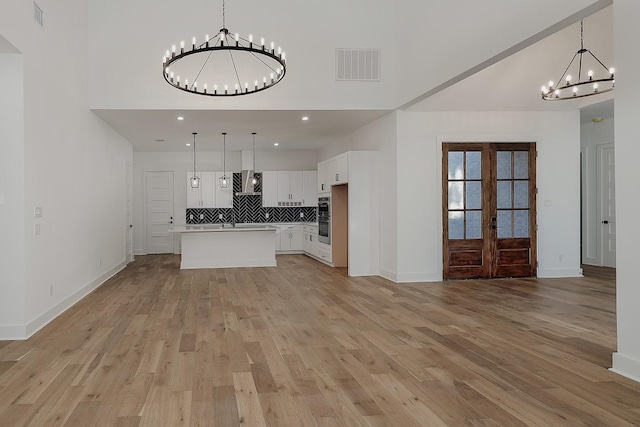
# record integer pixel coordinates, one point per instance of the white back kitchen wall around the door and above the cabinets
(181, 163)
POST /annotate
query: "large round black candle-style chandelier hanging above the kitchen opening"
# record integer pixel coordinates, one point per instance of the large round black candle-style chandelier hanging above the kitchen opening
(224, 65)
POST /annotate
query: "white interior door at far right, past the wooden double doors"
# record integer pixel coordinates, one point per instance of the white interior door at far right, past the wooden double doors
(607, 203)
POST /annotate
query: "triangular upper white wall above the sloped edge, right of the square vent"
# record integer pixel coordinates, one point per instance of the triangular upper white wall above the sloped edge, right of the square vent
(442, 41)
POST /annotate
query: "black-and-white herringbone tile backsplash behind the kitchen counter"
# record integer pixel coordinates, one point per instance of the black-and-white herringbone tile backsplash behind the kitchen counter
(248, 209)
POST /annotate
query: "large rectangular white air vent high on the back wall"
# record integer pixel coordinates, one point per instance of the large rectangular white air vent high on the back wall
(358, 65)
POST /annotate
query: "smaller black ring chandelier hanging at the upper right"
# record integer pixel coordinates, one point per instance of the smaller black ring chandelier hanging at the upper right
(591, 85)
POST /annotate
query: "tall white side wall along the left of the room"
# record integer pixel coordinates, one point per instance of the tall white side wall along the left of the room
(73, 166)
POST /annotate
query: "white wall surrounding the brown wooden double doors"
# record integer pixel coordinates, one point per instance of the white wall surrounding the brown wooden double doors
(420, 137)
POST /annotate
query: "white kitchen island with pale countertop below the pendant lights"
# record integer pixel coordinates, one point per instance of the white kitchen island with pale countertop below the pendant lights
(218, 246)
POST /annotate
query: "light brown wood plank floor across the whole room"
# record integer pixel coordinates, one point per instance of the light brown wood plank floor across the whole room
(302, 344)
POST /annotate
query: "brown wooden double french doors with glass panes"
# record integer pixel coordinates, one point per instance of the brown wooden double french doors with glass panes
(489, 210)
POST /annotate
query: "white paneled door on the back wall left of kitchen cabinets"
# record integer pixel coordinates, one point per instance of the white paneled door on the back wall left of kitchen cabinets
(159, 208)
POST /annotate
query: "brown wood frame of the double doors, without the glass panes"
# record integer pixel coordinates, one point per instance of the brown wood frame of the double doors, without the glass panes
(492, 247)
